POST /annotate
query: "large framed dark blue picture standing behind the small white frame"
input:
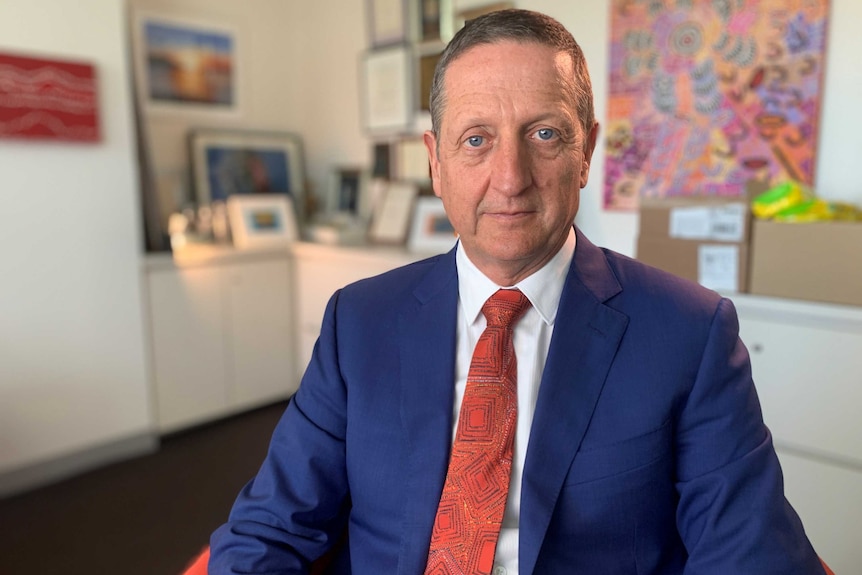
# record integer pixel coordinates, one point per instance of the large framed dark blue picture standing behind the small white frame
(235, 162)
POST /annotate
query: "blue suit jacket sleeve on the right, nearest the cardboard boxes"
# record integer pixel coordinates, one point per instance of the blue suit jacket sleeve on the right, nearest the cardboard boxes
(732, 514)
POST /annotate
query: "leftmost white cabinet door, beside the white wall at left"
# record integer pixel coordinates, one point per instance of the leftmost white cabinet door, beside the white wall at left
(188, 343)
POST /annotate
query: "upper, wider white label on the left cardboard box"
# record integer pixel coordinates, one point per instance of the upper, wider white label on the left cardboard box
(724, 223)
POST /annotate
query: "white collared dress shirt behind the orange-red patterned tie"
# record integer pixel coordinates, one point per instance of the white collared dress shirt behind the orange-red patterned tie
(532, 338)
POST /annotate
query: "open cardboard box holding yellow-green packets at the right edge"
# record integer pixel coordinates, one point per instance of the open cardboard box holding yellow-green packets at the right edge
(817, 261)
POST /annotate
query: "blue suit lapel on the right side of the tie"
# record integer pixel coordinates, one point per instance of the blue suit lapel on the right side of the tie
(586, 337)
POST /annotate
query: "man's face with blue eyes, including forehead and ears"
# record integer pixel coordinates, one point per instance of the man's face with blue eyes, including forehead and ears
(511, 156)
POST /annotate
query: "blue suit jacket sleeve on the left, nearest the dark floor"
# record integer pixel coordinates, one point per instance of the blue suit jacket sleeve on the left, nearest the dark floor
(296, 506)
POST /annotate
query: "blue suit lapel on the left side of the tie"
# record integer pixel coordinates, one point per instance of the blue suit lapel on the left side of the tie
(427, 343)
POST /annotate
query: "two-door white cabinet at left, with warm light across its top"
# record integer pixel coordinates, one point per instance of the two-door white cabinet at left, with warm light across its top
(222, 335)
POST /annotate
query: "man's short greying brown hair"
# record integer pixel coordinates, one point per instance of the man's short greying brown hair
(520, 26)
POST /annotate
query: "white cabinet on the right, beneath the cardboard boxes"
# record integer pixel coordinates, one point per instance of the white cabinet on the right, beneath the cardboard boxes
(807, 365)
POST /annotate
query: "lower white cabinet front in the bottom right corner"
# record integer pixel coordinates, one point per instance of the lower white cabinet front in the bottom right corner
(828, 499)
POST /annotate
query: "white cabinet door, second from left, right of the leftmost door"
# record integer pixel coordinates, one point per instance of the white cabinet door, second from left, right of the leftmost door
(261, 332)
